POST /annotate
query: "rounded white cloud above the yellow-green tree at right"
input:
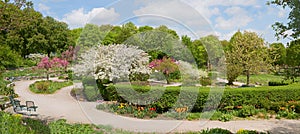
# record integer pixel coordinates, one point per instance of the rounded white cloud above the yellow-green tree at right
(238, 18)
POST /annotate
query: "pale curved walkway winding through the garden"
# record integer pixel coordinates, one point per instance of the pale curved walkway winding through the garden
(63, 105)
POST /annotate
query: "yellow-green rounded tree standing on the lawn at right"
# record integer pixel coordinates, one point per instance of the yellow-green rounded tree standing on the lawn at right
(247, 54)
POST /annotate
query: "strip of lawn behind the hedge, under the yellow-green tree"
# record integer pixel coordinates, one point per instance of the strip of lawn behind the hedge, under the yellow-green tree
(262, 78)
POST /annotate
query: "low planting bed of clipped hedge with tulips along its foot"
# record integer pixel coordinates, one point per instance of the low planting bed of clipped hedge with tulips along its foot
(252, 102)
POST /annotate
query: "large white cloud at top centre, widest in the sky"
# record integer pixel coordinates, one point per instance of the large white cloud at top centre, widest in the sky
(170, 13)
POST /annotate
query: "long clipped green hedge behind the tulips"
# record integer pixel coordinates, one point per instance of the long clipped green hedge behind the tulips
(269, 98)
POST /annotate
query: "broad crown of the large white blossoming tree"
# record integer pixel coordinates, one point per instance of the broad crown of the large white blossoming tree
(113, 62)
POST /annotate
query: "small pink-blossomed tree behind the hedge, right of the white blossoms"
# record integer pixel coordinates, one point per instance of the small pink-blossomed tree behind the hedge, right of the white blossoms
(165, 65)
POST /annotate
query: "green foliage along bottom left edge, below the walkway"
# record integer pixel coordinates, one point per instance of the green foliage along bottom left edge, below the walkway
(17, 124)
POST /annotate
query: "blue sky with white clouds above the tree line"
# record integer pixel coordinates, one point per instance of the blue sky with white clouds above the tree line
(196, 18)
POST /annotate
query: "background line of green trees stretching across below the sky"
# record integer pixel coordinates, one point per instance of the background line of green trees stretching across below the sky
(24, 31)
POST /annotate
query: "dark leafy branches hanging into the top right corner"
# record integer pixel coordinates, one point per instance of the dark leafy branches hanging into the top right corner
(293, 26)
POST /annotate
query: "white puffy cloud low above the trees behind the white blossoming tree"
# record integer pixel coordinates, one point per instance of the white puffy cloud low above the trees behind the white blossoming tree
(78, 18)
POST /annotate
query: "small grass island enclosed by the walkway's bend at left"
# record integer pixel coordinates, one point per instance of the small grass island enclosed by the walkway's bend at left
(48, 87)
